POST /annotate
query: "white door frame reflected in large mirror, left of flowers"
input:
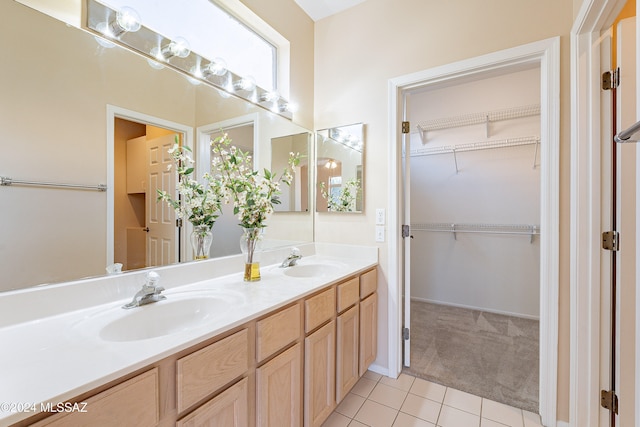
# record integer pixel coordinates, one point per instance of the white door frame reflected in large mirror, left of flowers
(114, 112)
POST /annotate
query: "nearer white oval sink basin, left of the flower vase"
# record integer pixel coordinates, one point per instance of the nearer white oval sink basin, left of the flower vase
(177, 313)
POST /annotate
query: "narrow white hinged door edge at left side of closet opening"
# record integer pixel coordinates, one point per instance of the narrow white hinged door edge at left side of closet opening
(406, 186)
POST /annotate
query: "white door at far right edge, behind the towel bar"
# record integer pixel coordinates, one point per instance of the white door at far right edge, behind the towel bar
(626, 225)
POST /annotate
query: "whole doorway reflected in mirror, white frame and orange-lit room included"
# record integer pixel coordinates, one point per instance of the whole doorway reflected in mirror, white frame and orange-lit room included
(141, 232)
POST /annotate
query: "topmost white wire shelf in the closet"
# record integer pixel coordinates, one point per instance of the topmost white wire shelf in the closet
(478, 118)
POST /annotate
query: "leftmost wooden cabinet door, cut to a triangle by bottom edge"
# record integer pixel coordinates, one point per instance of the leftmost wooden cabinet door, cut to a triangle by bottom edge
(229, 409)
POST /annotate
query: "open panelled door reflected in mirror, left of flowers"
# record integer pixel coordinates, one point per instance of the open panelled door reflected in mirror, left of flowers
(161, 218)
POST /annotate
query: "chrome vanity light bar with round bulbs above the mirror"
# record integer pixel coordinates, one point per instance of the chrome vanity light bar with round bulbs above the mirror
(175, 54)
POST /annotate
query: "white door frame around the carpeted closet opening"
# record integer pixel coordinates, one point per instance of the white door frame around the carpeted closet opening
(547, 54)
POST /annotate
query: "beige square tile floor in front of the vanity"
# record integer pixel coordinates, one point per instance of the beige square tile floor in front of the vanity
(378, 401)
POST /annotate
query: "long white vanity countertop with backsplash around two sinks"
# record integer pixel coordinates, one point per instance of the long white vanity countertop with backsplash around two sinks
(50, 355)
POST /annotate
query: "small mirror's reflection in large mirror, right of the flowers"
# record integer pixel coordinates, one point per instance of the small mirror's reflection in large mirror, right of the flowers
(295, 197)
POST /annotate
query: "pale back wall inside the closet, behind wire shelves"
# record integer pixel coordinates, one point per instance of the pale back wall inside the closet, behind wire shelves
(485, 192)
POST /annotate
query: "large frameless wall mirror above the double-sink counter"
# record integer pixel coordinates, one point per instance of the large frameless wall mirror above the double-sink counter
(74, 111)
